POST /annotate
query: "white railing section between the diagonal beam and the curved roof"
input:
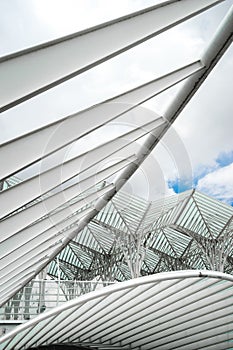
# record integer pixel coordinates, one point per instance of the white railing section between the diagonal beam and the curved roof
(41, 295)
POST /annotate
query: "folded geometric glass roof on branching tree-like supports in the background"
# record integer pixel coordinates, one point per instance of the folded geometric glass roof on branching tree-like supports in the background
(133, 237)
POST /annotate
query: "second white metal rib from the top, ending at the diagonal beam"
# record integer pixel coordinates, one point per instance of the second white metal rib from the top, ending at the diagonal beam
(51, 138)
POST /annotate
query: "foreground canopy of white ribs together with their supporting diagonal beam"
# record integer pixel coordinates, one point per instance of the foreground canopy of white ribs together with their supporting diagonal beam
(40, 215)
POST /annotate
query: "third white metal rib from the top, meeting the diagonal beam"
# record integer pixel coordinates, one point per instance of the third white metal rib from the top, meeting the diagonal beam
(27, 191)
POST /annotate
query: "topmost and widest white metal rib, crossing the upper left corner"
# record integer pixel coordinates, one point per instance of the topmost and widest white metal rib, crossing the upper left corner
(49, 64)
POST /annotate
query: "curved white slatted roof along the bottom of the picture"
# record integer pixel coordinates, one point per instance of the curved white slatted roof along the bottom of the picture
(174, 310)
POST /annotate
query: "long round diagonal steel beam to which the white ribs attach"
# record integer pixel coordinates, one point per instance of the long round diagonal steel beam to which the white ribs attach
(212, 55)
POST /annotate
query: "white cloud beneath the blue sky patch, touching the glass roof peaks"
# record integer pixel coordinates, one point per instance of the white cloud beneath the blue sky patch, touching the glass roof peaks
(218, 184)
